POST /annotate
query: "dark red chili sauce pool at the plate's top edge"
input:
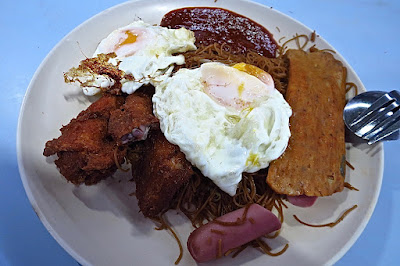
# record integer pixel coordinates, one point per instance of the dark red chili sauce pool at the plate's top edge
(216, 25)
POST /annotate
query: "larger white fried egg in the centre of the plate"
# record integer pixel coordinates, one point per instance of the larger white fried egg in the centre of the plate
(226, 119)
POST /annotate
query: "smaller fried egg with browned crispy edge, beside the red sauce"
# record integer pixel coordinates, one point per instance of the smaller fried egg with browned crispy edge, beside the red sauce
(143, 51)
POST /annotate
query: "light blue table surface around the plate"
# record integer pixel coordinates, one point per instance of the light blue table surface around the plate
(365, 32)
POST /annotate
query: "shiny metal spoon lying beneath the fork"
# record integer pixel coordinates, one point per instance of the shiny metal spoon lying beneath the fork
(356, 106)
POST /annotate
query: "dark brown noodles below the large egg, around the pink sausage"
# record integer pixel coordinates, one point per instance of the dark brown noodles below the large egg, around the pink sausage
(202, 201)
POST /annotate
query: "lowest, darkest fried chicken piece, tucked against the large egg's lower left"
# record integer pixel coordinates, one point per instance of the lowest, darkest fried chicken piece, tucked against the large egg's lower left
(159, 173)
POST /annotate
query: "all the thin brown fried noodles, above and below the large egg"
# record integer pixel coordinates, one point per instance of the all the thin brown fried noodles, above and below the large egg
(201, 200)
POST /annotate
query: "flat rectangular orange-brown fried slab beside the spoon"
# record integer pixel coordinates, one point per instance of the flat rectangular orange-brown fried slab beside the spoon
(314, 161)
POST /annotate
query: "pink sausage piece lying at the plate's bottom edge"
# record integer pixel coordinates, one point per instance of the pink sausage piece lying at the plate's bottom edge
(212, 240)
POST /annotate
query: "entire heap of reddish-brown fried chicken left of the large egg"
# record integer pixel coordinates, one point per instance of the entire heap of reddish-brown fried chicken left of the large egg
(89, 144)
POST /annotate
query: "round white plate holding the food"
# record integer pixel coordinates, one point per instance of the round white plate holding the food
(100, 225)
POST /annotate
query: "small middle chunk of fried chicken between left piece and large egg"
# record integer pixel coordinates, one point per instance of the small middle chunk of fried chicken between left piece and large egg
(133, 120)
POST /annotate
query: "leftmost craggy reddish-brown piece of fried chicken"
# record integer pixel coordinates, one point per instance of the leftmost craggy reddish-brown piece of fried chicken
(85, 150)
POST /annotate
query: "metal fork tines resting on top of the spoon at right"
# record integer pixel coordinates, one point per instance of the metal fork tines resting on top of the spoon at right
(380, 120)
